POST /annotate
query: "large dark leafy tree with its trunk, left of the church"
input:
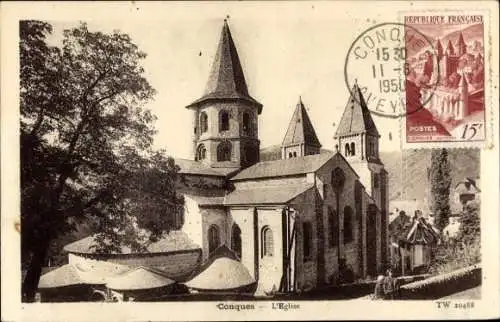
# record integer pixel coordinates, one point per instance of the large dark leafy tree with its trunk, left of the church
(86, 145)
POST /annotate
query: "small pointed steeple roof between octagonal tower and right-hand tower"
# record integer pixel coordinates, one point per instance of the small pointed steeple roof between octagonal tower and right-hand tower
(301, 130)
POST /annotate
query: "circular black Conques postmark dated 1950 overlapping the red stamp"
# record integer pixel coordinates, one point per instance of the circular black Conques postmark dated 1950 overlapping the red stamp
(389, 63)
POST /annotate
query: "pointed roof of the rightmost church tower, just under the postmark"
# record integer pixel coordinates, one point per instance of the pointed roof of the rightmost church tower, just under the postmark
(356, 118)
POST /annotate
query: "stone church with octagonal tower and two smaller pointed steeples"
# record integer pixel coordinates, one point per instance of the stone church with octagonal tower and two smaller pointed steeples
(296, 223)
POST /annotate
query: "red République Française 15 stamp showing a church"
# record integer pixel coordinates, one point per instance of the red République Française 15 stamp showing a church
(447, 79)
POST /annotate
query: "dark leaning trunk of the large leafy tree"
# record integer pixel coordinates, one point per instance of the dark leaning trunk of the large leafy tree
(30, 283)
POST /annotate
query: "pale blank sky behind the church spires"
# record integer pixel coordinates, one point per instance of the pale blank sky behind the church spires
(284, 53)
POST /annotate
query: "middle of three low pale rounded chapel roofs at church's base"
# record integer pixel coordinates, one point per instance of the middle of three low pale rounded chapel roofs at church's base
(140, 278)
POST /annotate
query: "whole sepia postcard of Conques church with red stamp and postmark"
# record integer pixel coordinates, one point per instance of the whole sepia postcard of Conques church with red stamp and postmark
(254, 162)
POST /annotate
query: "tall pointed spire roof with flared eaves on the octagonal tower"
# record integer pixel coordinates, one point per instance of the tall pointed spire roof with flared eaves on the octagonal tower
(226, 80)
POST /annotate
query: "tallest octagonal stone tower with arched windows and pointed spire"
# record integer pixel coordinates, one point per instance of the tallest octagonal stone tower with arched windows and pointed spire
(225, 118)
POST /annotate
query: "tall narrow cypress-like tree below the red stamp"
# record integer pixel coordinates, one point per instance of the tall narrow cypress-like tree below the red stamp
(440, 179)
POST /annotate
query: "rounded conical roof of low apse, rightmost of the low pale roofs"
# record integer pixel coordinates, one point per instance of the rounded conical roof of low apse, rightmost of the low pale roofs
(221, 273)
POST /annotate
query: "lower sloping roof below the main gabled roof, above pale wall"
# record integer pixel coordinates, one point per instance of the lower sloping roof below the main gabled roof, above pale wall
(276, 195)
